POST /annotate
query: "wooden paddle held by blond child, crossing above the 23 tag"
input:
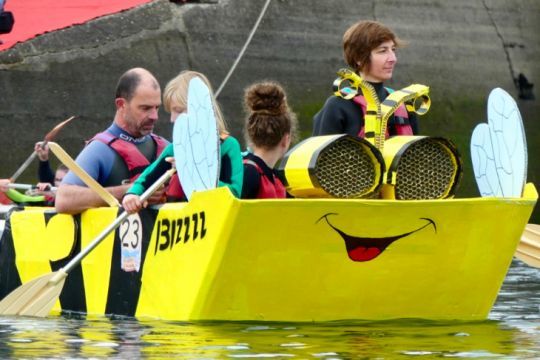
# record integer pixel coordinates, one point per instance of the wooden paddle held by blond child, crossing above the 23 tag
(38, 296)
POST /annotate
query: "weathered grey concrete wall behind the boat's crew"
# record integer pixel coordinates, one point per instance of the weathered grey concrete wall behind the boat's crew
(461, 49)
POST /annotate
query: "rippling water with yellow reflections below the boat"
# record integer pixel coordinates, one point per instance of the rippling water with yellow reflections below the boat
(512, 332)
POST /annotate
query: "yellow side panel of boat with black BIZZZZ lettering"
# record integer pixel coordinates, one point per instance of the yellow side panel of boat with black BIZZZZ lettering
(186, 268)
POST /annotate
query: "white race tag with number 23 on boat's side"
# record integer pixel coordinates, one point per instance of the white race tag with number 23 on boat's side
(130, 233)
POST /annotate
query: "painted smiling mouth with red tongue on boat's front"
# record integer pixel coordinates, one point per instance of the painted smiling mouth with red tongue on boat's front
(368, 248)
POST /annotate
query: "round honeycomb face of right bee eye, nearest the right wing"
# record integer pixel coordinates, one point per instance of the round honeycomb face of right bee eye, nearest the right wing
(426, 170)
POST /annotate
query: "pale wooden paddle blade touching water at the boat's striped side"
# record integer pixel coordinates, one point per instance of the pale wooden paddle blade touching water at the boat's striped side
(34, 298)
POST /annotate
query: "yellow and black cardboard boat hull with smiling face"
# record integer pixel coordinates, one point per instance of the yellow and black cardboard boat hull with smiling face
(220, 258)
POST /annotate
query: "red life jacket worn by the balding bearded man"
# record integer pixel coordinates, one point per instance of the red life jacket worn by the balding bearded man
(135, 161)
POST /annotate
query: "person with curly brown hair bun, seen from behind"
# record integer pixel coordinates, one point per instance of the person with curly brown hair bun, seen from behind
(269, 129)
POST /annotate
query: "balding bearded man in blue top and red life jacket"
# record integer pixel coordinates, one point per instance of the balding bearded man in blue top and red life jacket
(116, 157)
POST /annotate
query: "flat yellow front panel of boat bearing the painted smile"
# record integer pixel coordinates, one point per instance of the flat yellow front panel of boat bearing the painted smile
(301, 270)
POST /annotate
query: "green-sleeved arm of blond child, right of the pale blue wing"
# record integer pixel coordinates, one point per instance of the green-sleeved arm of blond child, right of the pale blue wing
(232, 167)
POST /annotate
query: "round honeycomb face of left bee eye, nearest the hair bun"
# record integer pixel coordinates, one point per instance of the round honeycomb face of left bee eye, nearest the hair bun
(345, 169)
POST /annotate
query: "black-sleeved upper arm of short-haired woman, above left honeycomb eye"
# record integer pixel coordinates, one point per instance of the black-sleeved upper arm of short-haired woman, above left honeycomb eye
(338, 116)
